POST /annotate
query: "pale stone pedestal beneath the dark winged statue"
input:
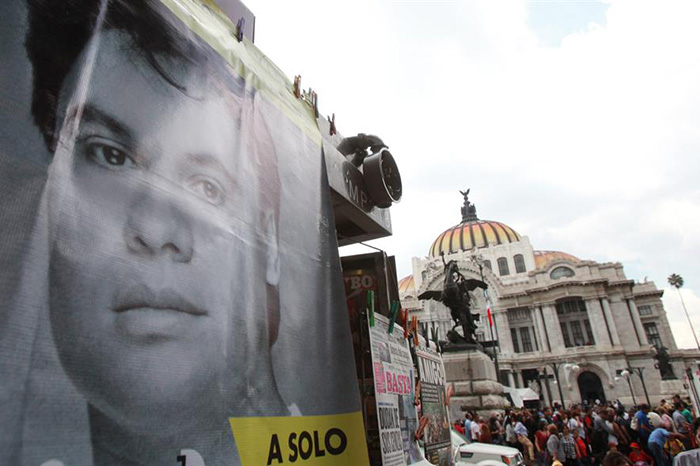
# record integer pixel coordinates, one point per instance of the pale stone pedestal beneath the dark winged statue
(476, 388)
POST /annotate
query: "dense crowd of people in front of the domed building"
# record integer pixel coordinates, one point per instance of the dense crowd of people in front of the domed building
(592, 434)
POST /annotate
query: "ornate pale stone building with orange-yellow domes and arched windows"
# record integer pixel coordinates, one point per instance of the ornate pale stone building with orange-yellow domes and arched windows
(568, 327)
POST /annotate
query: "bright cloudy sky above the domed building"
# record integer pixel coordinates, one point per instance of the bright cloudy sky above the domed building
(577, 123)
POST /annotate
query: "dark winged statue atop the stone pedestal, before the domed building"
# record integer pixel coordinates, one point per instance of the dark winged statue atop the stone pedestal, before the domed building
(455, 295)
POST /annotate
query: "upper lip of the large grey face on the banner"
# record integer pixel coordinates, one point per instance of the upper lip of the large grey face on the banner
(141, 297)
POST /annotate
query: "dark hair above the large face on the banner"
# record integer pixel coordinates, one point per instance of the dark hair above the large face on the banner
(59, 31)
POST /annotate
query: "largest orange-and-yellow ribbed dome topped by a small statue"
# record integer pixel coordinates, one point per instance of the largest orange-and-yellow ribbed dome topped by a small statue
(473, 233)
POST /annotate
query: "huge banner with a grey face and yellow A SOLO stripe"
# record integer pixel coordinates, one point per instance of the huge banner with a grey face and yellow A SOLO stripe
(170, 289)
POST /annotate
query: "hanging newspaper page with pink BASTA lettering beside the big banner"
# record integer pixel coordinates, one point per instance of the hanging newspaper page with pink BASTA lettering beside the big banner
(394, 391)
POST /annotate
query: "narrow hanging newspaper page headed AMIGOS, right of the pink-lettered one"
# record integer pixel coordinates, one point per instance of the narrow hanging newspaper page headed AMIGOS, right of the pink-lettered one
(438, 447)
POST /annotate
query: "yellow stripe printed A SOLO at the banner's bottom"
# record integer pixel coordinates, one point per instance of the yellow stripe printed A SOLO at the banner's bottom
(308, 440)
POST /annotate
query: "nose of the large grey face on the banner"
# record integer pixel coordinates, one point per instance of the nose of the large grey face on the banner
(157, 226)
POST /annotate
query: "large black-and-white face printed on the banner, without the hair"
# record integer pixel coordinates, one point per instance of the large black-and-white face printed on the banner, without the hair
(159, 211)
